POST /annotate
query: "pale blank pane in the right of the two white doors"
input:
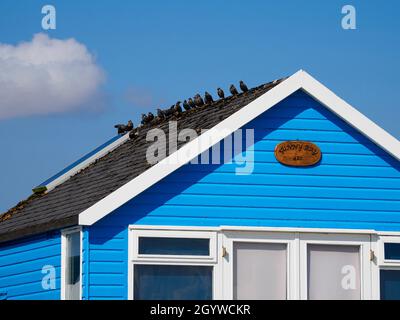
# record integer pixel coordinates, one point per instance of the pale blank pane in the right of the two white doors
(333, 272)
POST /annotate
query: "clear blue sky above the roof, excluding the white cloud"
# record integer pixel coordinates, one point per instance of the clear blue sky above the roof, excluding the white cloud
(155, 53)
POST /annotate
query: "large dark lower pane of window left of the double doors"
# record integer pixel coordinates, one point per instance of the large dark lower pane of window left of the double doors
(161, 282)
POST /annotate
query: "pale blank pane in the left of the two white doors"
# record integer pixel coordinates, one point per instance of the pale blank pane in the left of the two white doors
(259, 271)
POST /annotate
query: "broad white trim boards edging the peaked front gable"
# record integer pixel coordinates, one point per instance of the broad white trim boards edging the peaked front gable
(300, 80)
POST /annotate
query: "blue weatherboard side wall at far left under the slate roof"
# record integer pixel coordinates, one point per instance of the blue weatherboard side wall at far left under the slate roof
(21, 266)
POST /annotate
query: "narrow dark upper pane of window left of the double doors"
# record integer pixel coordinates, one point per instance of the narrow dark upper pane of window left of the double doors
(174, 246)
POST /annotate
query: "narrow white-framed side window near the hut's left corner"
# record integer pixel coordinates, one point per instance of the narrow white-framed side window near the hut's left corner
(71, 265)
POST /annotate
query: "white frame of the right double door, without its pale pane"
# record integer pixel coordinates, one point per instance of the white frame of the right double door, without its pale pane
(361, 240)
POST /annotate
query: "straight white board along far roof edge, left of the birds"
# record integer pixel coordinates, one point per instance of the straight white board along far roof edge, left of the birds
(101, 153)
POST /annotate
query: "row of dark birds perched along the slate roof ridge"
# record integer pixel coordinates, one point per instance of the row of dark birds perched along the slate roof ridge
(176, 109)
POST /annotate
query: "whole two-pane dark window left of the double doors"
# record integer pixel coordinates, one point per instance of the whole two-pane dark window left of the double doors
(172, 265)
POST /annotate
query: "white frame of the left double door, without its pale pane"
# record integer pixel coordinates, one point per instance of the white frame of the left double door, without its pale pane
(289, 239)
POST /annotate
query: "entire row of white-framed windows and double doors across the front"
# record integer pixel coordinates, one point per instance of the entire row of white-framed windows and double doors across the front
(235, 263)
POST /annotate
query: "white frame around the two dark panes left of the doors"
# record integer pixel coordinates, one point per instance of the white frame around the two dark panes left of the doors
(135, 258)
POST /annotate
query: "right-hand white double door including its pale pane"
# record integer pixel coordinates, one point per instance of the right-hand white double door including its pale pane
(335, 267)
